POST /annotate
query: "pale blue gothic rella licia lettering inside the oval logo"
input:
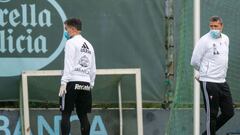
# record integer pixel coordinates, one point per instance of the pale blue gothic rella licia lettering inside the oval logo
(24, 43)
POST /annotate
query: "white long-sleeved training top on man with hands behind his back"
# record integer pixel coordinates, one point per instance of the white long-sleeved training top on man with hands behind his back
(210, 58)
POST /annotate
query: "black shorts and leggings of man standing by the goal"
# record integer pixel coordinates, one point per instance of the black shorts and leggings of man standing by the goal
(78, 95)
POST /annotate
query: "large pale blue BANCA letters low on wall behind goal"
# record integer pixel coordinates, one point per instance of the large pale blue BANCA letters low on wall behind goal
(97, 126)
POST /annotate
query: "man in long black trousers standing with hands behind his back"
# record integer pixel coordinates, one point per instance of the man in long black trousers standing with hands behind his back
(210, 58)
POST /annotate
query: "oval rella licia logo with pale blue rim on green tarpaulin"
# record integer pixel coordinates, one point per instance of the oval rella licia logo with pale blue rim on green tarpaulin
(27, 29)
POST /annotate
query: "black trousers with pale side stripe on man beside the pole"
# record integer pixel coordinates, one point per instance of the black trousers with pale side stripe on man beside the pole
(216, 96)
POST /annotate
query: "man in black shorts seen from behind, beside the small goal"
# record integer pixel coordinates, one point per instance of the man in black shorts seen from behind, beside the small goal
(78, 77)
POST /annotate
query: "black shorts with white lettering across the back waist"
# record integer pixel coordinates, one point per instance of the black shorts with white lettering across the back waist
(78, 95)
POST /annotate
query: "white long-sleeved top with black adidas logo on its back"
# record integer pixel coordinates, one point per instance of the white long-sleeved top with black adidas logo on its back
(79, 61)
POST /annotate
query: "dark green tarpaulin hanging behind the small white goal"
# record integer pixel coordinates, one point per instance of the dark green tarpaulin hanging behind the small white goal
(124, 33)
